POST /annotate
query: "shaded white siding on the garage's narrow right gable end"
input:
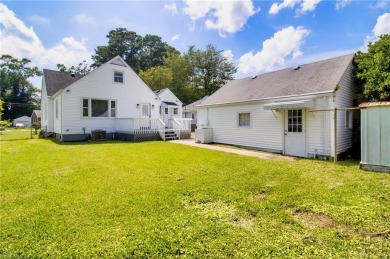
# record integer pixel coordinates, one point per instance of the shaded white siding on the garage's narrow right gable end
(344, 99)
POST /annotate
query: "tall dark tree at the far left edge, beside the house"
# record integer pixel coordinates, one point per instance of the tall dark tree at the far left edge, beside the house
(19, 95)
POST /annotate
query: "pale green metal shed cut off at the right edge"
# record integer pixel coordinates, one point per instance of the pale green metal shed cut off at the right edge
(375, 136)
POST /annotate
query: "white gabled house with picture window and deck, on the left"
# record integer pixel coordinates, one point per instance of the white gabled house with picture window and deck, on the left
(111, 99)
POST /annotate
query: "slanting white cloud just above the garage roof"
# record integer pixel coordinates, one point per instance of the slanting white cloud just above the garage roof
(284, 44)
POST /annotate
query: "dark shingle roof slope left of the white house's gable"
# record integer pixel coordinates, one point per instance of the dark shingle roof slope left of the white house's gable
(57, 80)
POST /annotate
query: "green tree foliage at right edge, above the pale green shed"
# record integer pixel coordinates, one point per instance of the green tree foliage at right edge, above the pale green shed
(373, 71)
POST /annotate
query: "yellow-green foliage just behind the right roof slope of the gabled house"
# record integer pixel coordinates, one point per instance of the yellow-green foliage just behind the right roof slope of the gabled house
(157, 77)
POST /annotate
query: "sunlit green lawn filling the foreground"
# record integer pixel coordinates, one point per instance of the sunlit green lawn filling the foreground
(158, 199)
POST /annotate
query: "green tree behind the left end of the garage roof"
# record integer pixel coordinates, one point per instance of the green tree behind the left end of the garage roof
(210, 69)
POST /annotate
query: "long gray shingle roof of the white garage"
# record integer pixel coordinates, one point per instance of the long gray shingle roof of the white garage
(318, 77)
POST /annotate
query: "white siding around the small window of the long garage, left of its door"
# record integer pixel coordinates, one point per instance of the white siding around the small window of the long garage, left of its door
(265, 130)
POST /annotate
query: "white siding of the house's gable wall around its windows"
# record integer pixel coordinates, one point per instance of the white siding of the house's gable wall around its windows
(100, 85)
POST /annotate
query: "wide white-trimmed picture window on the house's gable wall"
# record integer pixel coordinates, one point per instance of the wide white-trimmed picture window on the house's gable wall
(98, 108)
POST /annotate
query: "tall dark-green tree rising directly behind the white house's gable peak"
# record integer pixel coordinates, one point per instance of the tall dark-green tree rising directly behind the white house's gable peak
(140, 53)
